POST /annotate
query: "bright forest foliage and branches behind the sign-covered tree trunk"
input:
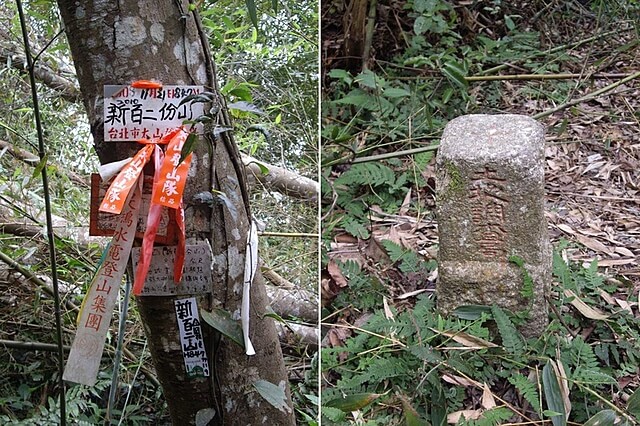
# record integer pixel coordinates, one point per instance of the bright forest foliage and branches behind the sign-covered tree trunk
(273, 67)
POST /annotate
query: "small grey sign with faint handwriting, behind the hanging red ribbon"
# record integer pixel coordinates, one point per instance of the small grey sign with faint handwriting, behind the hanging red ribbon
(196, 278)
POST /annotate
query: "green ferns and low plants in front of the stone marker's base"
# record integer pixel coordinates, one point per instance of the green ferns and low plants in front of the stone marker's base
(410, 365)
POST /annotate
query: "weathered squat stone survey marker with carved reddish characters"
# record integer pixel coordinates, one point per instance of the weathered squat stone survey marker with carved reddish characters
(490, 205)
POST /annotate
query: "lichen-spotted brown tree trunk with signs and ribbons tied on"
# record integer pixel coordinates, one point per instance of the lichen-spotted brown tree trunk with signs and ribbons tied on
(118, 43)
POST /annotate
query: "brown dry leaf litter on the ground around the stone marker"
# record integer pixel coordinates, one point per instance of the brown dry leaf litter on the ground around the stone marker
(592, 174)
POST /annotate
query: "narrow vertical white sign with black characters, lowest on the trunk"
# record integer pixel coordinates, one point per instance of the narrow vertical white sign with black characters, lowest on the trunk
(195, 355)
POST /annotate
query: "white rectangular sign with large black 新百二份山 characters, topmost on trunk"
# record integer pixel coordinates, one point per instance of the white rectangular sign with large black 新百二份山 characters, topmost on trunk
(132, 113)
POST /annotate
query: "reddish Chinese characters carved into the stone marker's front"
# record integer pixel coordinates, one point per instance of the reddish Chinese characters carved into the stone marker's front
(488, 206)
